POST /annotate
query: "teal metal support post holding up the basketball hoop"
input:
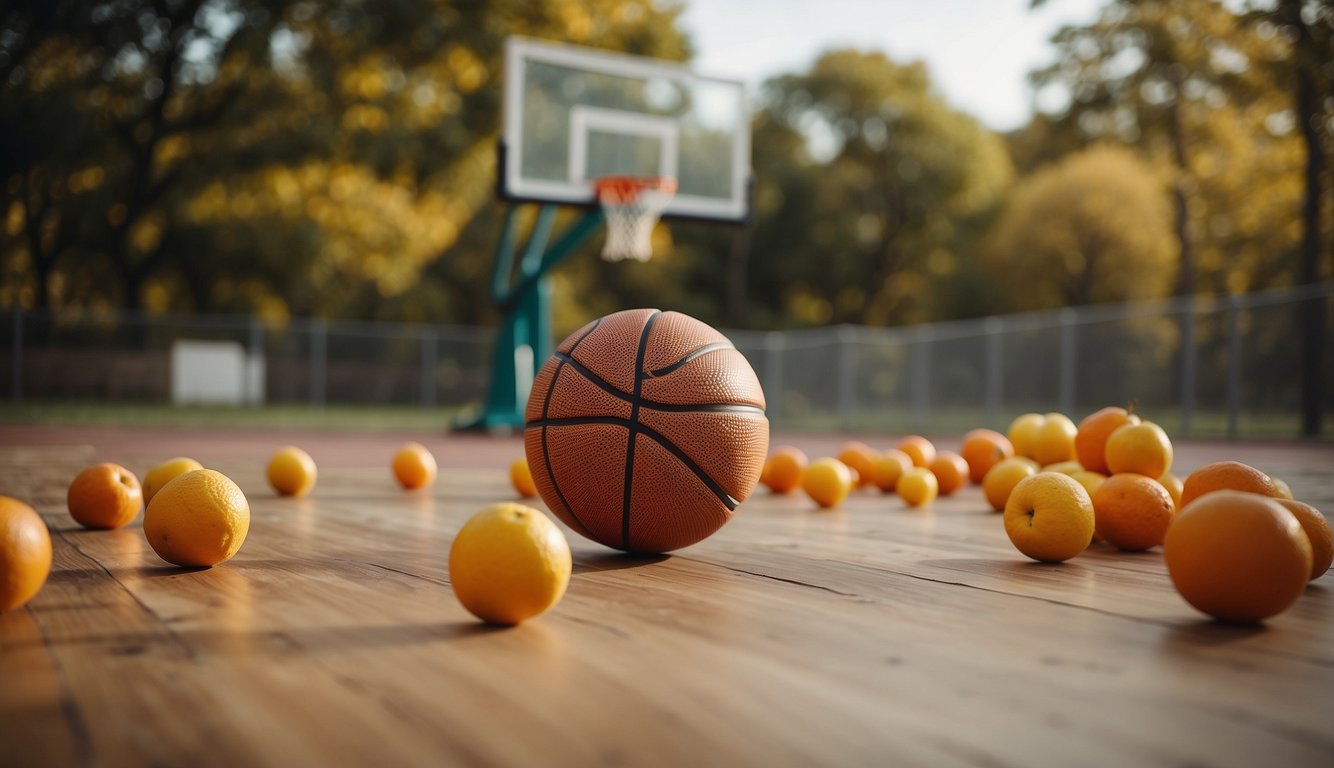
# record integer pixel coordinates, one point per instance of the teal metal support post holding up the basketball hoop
(524, 343)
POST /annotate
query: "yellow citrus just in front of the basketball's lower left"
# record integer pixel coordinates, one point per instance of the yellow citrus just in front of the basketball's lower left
(509, 563)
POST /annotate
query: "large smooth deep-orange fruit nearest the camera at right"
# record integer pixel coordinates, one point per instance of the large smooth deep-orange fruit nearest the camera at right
(1237, 557)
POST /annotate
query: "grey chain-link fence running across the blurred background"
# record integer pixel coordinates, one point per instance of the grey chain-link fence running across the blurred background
(1207, 367)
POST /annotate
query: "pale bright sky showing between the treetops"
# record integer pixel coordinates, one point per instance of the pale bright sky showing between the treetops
(978, 51)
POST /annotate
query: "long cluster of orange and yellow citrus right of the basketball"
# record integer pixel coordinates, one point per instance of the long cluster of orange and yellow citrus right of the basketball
(1236, 543)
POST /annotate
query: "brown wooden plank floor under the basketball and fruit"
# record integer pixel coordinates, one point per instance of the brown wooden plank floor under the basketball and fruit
(872, 635)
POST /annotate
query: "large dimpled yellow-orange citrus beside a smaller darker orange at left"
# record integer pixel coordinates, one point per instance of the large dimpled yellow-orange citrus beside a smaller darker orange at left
(199, 519)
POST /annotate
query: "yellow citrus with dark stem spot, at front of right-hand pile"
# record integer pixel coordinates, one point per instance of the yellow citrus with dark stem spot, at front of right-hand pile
(1049, 518)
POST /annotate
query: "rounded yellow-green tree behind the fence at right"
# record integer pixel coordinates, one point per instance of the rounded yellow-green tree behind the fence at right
(1095, 227)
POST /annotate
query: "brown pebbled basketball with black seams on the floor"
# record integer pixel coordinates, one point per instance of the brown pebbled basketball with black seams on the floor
(646, 430)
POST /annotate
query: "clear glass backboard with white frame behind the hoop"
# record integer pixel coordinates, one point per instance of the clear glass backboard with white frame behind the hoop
(576, 114)
